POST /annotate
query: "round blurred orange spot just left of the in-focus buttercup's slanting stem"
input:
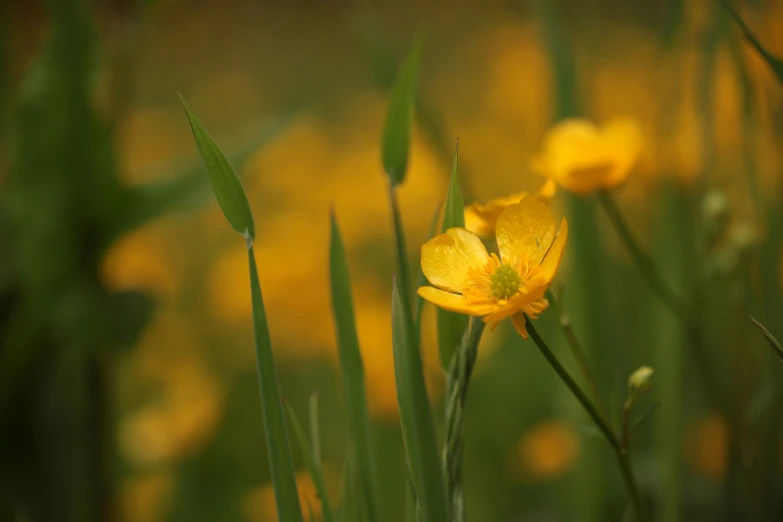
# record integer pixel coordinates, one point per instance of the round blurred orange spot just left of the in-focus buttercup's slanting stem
(548, 450)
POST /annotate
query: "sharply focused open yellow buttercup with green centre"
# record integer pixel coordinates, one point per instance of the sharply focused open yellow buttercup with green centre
(469, 280)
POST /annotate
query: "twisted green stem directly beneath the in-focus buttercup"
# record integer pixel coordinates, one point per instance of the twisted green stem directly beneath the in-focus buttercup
(457, 381)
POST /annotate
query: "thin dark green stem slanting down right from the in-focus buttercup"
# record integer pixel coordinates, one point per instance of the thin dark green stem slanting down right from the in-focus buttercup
(620, 447)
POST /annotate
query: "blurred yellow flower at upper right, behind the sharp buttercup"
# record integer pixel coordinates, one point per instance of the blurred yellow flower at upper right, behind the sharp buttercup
(584, 158)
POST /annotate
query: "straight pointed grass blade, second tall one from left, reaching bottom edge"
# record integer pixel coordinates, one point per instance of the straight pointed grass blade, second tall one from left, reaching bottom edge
(352, 373)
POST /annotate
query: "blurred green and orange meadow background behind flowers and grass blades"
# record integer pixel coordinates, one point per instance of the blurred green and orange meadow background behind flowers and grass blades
(127, 376)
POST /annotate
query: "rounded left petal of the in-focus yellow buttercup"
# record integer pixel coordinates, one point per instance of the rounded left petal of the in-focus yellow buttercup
(446, 259)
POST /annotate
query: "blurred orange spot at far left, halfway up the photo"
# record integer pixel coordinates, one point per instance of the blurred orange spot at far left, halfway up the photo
(140, 261)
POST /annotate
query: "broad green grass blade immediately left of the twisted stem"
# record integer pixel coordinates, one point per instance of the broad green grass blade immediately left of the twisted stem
(415, 416)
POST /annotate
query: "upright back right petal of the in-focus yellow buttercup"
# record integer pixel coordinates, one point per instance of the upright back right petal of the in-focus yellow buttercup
(525, 231)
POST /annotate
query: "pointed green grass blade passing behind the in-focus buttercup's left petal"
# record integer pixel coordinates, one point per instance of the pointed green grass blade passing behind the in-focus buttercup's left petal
(451, 325)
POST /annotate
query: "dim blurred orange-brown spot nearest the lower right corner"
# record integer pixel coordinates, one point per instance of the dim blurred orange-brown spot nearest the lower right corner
(706, 446)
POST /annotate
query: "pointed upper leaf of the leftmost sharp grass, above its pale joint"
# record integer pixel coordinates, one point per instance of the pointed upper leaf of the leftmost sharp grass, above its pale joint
(225, 182)
